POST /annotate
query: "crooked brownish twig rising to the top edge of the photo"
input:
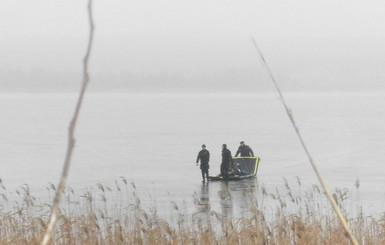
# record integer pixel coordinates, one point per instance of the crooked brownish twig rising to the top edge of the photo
(71, 135)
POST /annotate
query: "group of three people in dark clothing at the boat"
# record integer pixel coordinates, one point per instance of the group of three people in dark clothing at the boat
(204, 158)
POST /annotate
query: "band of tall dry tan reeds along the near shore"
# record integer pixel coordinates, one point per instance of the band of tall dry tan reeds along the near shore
(115, 215)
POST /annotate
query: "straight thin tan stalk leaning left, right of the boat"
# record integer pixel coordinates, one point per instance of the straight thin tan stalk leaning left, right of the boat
(323, 184)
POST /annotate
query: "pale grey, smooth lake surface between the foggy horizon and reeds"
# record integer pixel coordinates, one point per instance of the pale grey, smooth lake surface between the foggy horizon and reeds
(152, 140)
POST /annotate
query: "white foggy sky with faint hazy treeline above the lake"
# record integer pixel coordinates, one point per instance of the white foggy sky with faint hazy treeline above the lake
(193, 45)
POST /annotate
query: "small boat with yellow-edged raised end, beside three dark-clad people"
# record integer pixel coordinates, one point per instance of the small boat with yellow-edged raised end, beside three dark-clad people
(240, 168)
